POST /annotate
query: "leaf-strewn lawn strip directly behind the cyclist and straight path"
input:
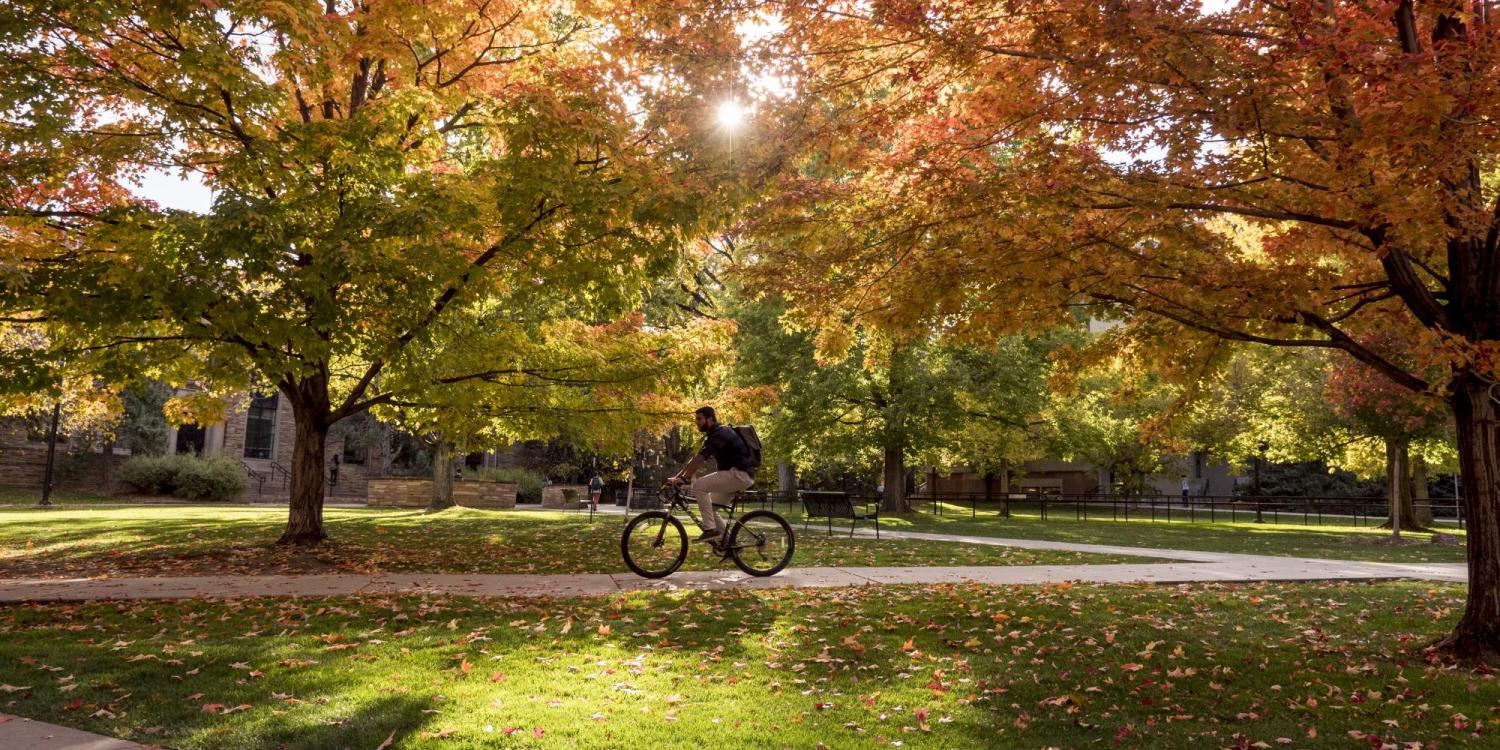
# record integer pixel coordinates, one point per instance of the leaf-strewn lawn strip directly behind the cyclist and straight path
(166, 541)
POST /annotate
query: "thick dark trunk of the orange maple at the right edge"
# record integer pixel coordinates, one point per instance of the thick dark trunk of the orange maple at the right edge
(1477, 637)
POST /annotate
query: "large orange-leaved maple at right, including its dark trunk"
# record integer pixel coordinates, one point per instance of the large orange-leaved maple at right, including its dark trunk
(1294, 175)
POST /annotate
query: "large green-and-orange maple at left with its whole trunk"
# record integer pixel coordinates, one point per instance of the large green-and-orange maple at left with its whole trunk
(377, 170)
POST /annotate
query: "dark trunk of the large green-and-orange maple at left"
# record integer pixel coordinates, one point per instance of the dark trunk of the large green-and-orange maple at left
(310, 401)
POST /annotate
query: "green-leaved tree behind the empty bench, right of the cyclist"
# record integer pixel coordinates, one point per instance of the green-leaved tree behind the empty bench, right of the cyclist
(892, 407)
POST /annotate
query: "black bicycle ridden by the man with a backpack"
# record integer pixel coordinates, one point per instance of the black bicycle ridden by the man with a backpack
(655, 544)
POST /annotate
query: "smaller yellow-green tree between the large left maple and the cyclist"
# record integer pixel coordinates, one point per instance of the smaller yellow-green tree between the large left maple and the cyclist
(488, 383)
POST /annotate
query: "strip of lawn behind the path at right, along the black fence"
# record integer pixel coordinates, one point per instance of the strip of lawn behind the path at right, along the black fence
(1246, 538)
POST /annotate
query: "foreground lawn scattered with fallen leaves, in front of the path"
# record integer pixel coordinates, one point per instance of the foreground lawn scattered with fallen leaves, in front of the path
(1337, 665)
